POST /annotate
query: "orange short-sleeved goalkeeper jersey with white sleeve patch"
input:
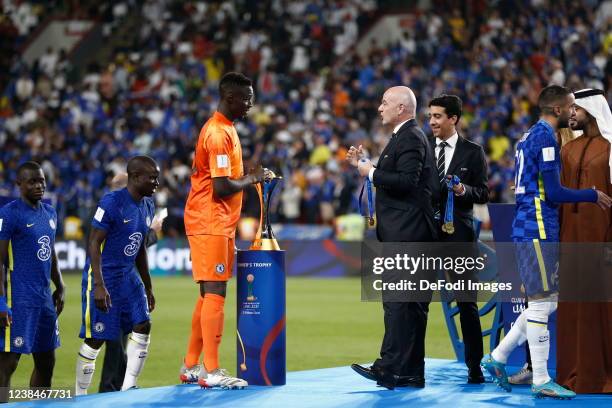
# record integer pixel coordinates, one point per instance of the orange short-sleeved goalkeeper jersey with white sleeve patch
(218, 154)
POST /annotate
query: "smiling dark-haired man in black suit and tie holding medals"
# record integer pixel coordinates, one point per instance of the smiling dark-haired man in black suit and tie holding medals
(465, 159)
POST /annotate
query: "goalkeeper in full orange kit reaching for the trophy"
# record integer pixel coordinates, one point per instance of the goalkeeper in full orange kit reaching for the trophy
(211, 215)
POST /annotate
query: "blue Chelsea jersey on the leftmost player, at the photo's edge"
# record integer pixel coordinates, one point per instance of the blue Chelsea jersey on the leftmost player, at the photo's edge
(31, 236)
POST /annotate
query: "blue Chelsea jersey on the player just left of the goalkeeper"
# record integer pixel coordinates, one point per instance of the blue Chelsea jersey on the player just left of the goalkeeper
(127, 224)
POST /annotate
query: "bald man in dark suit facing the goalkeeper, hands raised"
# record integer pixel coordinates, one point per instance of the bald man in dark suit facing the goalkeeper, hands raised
(404, 212)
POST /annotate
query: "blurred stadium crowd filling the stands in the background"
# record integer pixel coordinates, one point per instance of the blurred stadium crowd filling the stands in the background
(315, 96)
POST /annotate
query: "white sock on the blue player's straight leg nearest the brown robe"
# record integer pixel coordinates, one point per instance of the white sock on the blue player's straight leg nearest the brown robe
(539, 337)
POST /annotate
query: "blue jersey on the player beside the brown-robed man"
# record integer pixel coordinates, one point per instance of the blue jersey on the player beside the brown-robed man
(535, 216)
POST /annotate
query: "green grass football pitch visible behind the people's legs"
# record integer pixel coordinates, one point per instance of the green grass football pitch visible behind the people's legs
(327, 326)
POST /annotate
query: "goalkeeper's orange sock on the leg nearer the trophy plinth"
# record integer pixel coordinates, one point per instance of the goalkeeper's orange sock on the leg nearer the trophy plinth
(212, 329)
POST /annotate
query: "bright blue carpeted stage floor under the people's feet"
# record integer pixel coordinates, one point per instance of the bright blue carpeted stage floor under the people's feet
(333, 387)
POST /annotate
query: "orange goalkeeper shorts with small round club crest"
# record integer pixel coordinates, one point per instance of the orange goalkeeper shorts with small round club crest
(212, 257)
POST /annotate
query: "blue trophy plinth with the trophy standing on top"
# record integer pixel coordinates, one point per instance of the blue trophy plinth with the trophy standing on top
(261, 290)
